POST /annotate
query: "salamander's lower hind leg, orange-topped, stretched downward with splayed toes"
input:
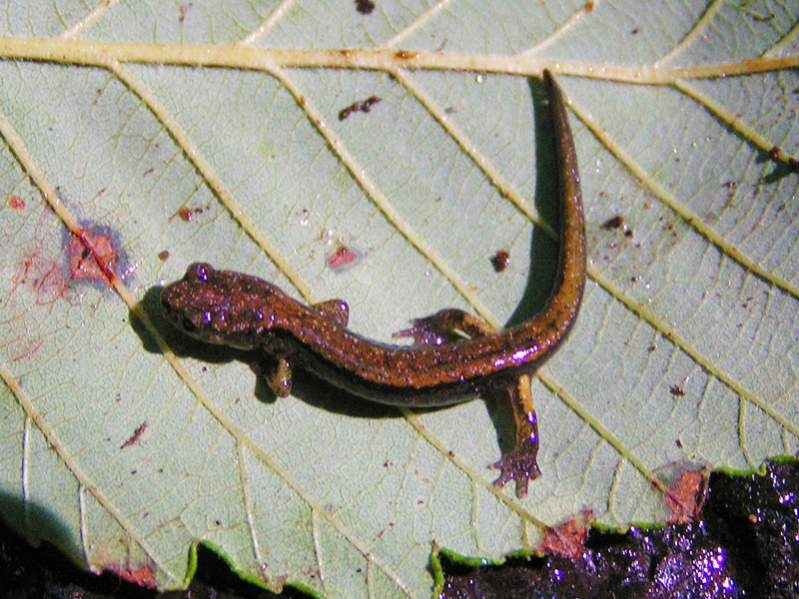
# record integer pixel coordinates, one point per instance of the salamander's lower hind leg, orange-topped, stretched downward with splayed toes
(520, 464)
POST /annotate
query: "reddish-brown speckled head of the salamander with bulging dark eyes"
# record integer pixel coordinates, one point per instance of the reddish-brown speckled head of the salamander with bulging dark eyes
(220, 306)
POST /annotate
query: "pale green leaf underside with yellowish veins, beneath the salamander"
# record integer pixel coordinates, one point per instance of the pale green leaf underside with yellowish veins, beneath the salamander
(142, 137)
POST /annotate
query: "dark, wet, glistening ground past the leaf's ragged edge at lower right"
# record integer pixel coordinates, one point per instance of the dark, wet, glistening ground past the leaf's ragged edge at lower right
(747, 545)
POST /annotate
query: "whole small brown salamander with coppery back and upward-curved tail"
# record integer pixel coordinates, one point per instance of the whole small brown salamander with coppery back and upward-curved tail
(440, 368)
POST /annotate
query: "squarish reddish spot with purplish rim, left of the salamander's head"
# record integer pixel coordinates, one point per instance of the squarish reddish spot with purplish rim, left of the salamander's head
(92, 255)
